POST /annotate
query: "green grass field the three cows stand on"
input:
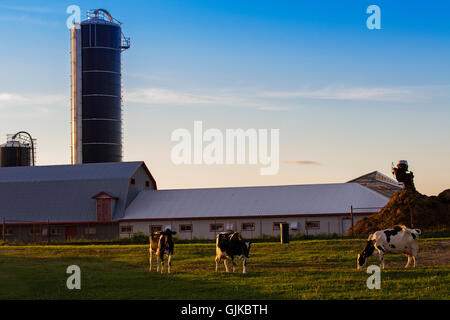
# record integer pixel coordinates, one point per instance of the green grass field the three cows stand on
(315, 269)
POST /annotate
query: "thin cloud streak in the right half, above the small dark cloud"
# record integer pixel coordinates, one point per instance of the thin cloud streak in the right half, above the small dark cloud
(354, 93)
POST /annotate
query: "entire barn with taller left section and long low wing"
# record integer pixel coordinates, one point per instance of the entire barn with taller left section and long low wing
(111, 200)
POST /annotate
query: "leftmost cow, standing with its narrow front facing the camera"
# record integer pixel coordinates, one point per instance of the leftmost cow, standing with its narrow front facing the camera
(161, 243)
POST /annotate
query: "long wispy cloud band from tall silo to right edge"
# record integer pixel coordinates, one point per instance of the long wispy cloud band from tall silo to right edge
(279, 100)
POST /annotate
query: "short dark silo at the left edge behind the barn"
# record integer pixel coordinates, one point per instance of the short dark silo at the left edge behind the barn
(15, 154)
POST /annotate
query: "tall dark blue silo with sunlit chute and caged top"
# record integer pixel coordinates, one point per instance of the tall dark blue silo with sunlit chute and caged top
(96, 47)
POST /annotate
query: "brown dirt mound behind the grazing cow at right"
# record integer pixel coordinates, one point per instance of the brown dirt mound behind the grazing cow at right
(410, 208)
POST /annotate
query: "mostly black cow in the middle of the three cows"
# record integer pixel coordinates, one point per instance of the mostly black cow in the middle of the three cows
(230, 245)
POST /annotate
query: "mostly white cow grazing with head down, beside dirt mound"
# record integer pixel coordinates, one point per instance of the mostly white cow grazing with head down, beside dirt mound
(399, 239)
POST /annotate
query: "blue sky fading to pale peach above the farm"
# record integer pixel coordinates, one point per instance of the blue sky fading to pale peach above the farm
(347, 99)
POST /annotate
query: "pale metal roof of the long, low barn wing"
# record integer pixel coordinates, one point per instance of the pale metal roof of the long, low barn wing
(313, 199)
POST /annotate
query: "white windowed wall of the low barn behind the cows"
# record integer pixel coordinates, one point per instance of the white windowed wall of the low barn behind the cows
(263, 226)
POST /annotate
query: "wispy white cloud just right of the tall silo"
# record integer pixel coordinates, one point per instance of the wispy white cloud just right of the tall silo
(159, 96)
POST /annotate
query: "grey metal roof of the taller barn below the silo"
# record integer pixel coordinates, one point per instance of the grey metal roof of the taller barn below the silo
(62, 193)
